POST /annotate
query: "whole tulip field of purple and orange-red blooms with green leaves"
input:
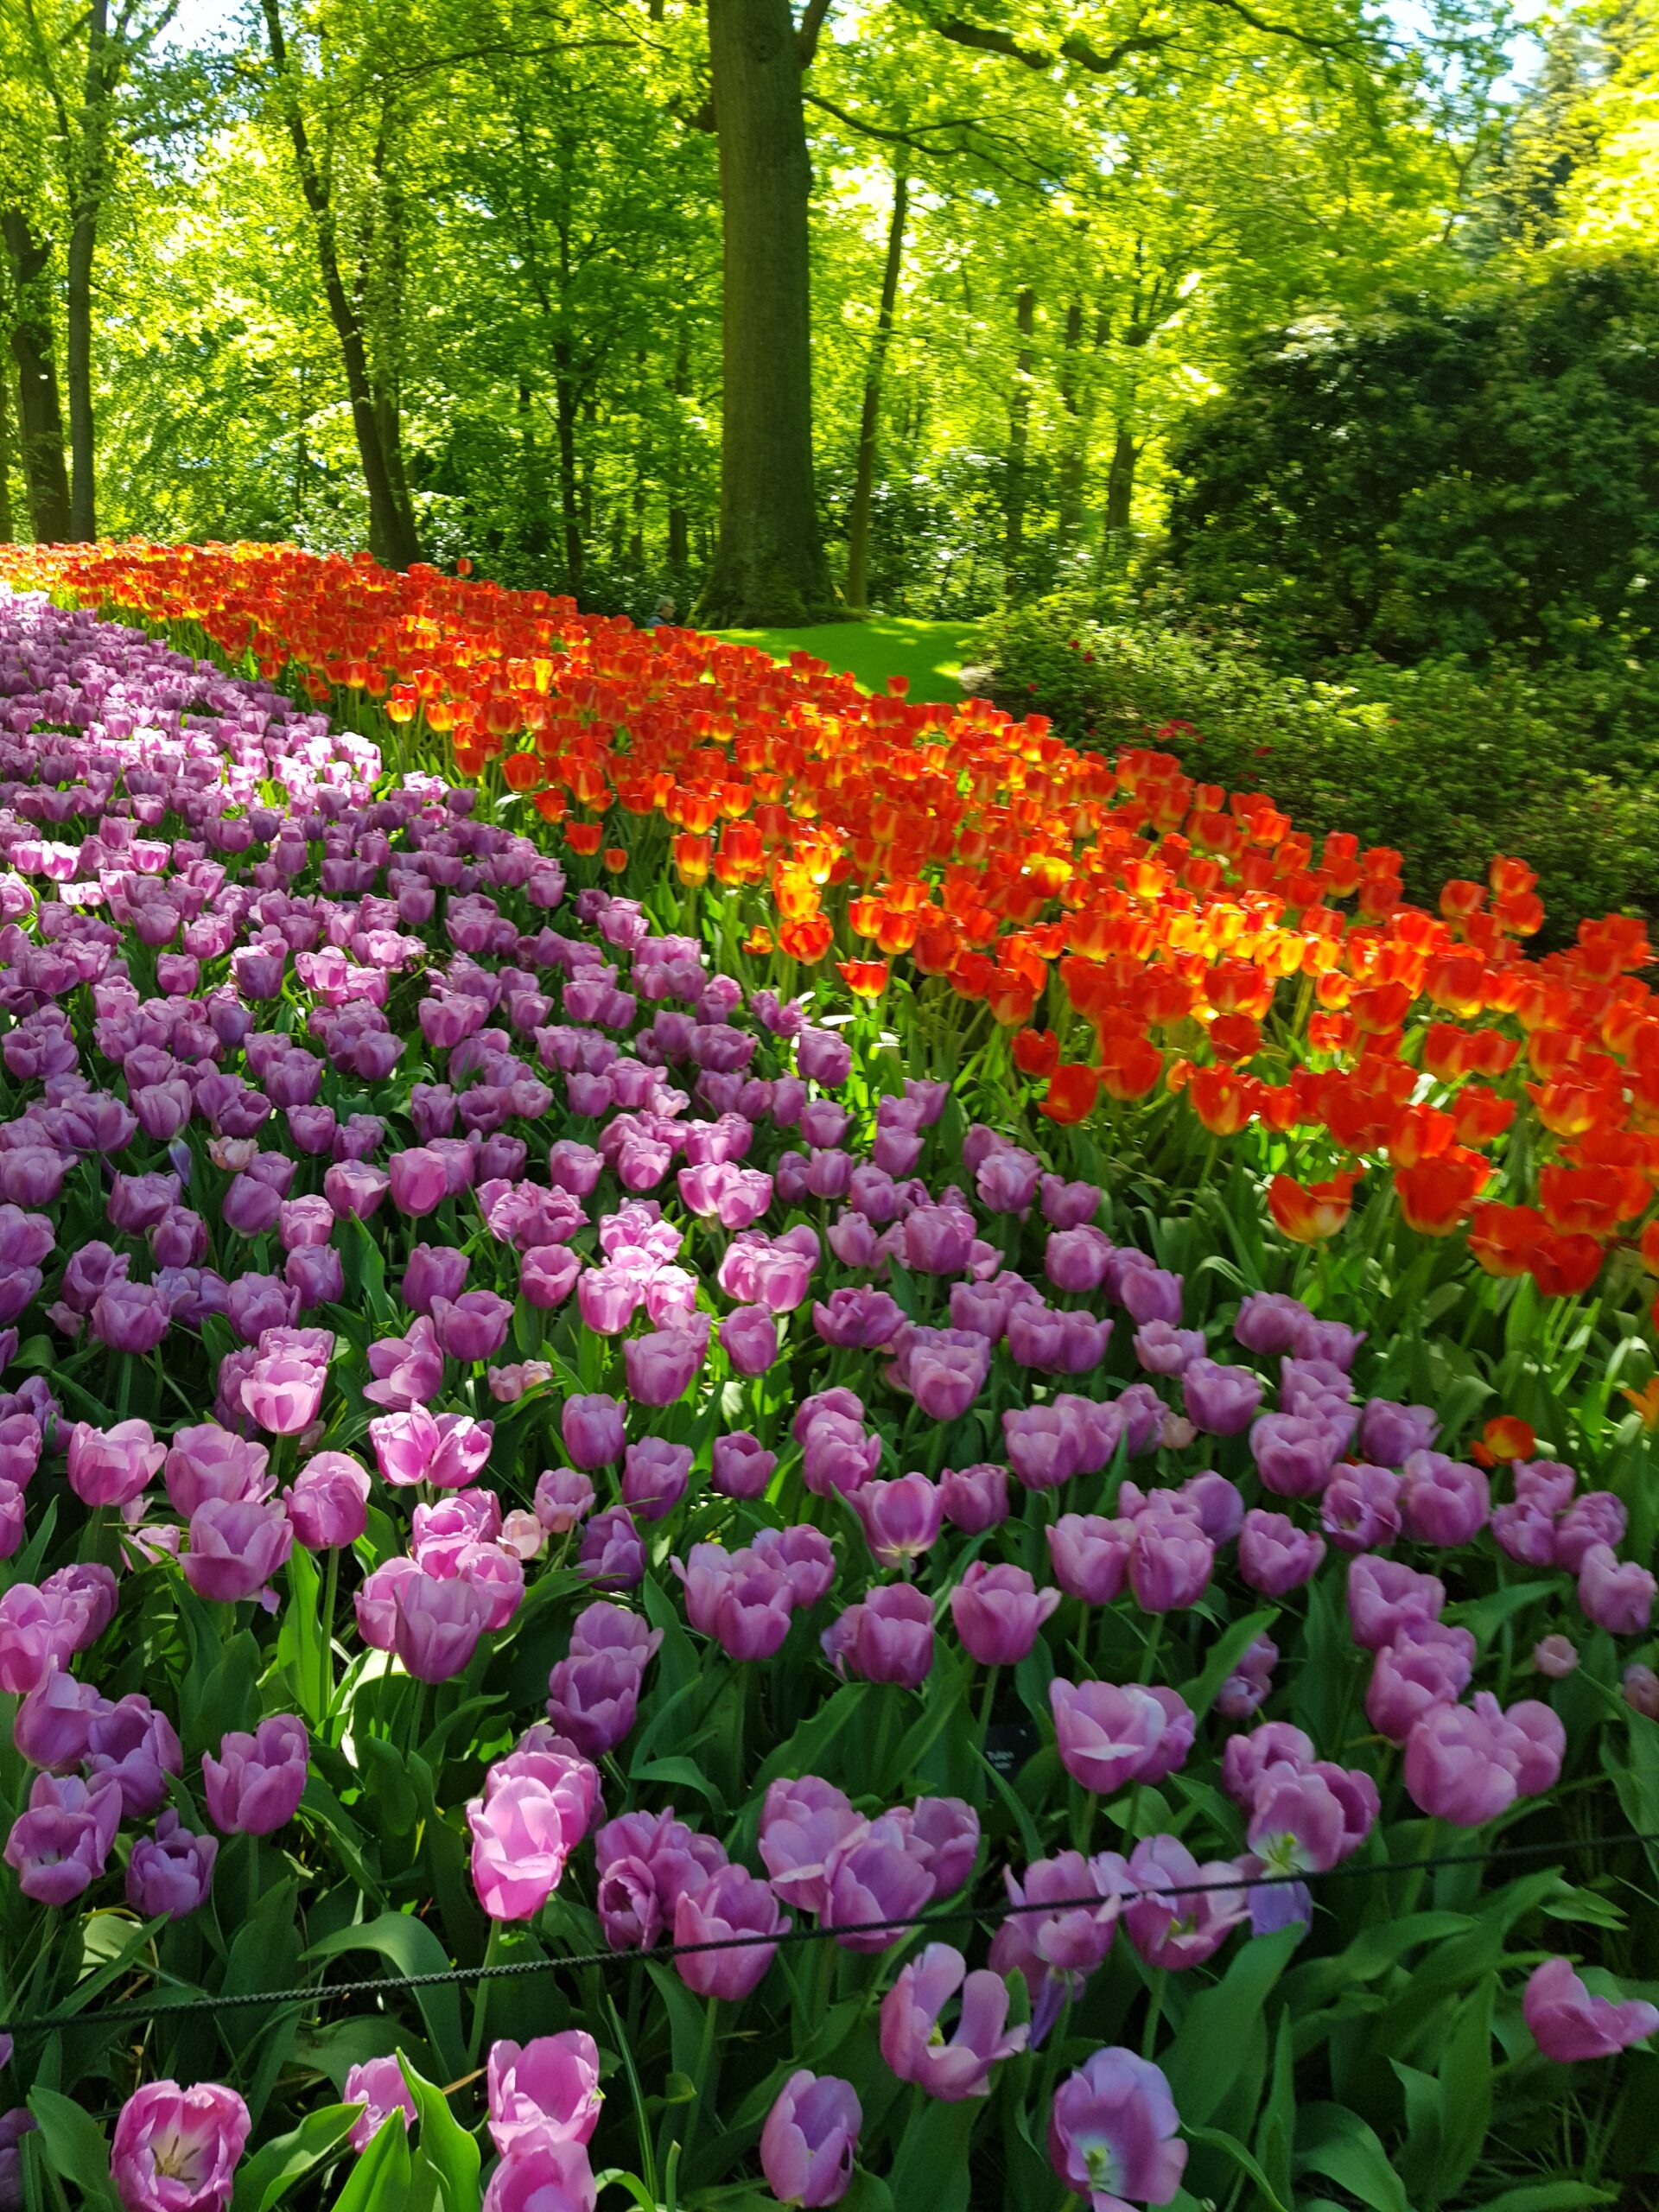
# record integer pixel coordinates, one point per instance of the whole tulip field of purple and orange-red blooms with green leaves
(764, 1446)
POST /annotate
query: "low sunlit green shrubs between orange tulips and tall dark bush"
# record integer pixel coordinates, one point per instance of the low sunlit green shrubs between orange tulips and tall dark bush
(1443, 762)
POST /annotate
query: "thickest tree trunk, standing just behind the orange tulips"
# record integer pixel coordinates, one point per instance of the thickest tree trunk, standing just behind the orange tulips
(769, 565)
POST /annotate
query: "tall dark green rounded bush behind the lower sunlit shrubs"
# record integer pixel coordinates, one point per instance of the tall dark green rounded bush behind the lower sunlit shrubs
(1441, 479)
